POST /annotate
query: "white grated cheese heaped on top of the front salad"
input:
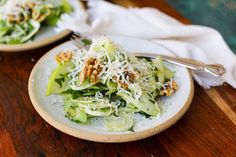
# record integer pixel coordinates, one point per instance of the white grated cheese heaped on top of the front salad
(114, 69)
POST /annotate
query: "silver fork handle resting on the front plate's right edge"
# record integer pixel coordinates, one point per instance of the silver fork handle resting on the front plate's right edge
(214, 69)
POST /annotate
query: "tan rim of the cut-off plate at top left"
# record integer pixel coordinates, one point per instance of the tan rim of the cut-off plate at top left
(34, 44)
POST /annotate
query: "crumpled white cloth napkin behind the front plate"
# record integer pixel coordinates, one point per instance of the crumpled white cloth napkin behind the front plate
(189, 41)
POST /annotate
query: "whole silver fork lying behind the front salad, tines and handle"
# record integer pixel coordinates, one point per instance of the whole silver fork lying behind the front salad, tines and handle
(213, 69)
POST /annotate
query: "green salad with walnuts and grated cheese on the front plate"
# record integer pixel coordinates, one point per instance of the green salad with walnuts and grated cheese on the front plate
(102, 80)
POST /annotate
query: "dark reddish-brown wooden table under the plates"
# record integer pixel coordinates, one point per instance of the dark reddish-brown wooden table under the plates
(207, 129)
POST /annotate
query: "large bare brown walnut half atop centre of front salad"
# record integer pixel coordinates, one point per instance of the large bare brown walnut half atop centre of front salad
(91, 70)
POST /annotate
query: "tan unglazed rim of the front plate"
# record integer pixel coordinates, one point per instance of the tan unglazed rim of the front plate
(103, 138)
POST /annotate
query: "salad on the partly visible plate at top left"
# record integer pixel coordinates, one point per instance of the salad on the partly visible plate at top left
(20, 20)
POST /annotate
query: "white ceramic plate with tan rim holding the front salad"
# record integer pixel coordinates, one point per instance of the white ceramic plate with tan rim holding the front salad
(51, 108)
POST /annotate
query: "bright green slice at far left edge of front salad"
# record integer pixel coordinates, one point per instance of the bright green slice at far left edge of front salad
(58, 82)
